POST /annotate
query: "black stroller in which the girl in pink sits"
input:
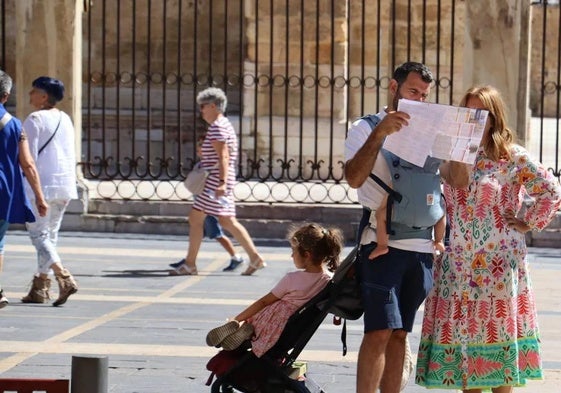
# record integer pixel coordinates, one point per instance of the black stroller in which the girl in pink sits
(271, 372)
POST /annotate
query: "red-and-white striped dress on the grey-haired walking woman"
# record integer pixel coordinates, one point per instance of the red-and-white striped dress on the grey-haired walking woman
(221, 130)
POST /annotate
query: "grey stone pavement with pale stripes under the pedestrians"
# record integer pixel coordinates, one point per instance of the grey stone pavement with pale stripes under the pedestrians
(152, 326)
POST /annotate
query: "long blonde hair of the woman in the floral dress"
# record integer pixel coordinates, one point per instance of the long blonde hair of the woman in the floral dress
(499, 138)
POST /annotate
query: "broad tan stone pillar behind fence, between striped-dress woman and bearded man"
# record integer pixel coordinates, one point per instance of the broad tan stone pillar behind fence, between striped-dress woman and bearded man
(310, 46)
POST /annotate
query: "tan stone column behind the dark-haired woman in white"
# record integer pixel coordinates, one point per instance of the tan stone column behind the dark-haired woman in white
(49, 42)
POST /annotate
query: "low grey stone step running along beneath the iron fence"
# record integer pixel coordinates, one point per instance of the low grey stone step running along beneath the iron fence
(263, 221)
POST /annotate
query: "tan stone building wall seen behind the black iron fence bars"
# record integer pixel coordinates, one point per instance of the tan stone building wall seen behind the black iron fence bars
(338, 61)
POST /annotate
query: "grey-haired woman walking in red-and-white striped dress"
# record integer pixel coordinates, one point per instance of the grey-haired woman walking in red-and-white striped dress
(218, 154)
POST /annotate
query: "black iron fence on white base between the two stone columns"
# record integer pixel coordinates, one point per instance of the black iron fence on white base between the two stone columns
(294, 83)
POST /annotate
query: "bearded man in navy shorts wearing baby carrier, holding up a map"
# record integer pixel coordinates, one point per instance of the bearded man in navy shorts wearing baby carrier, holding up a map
(389, 306)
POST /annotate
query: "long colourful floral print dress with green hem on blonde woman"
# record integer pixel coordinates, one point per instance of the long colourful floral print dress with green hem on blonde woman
(480, 324)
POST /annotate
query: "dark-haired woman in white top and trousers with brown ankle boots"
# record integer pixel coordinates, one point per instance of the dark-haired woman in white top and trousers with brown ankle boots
(51, 141)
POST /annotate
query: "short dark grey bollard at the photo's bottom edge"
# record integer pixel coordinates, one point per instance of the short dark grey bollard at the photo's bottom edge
(89, 374)
